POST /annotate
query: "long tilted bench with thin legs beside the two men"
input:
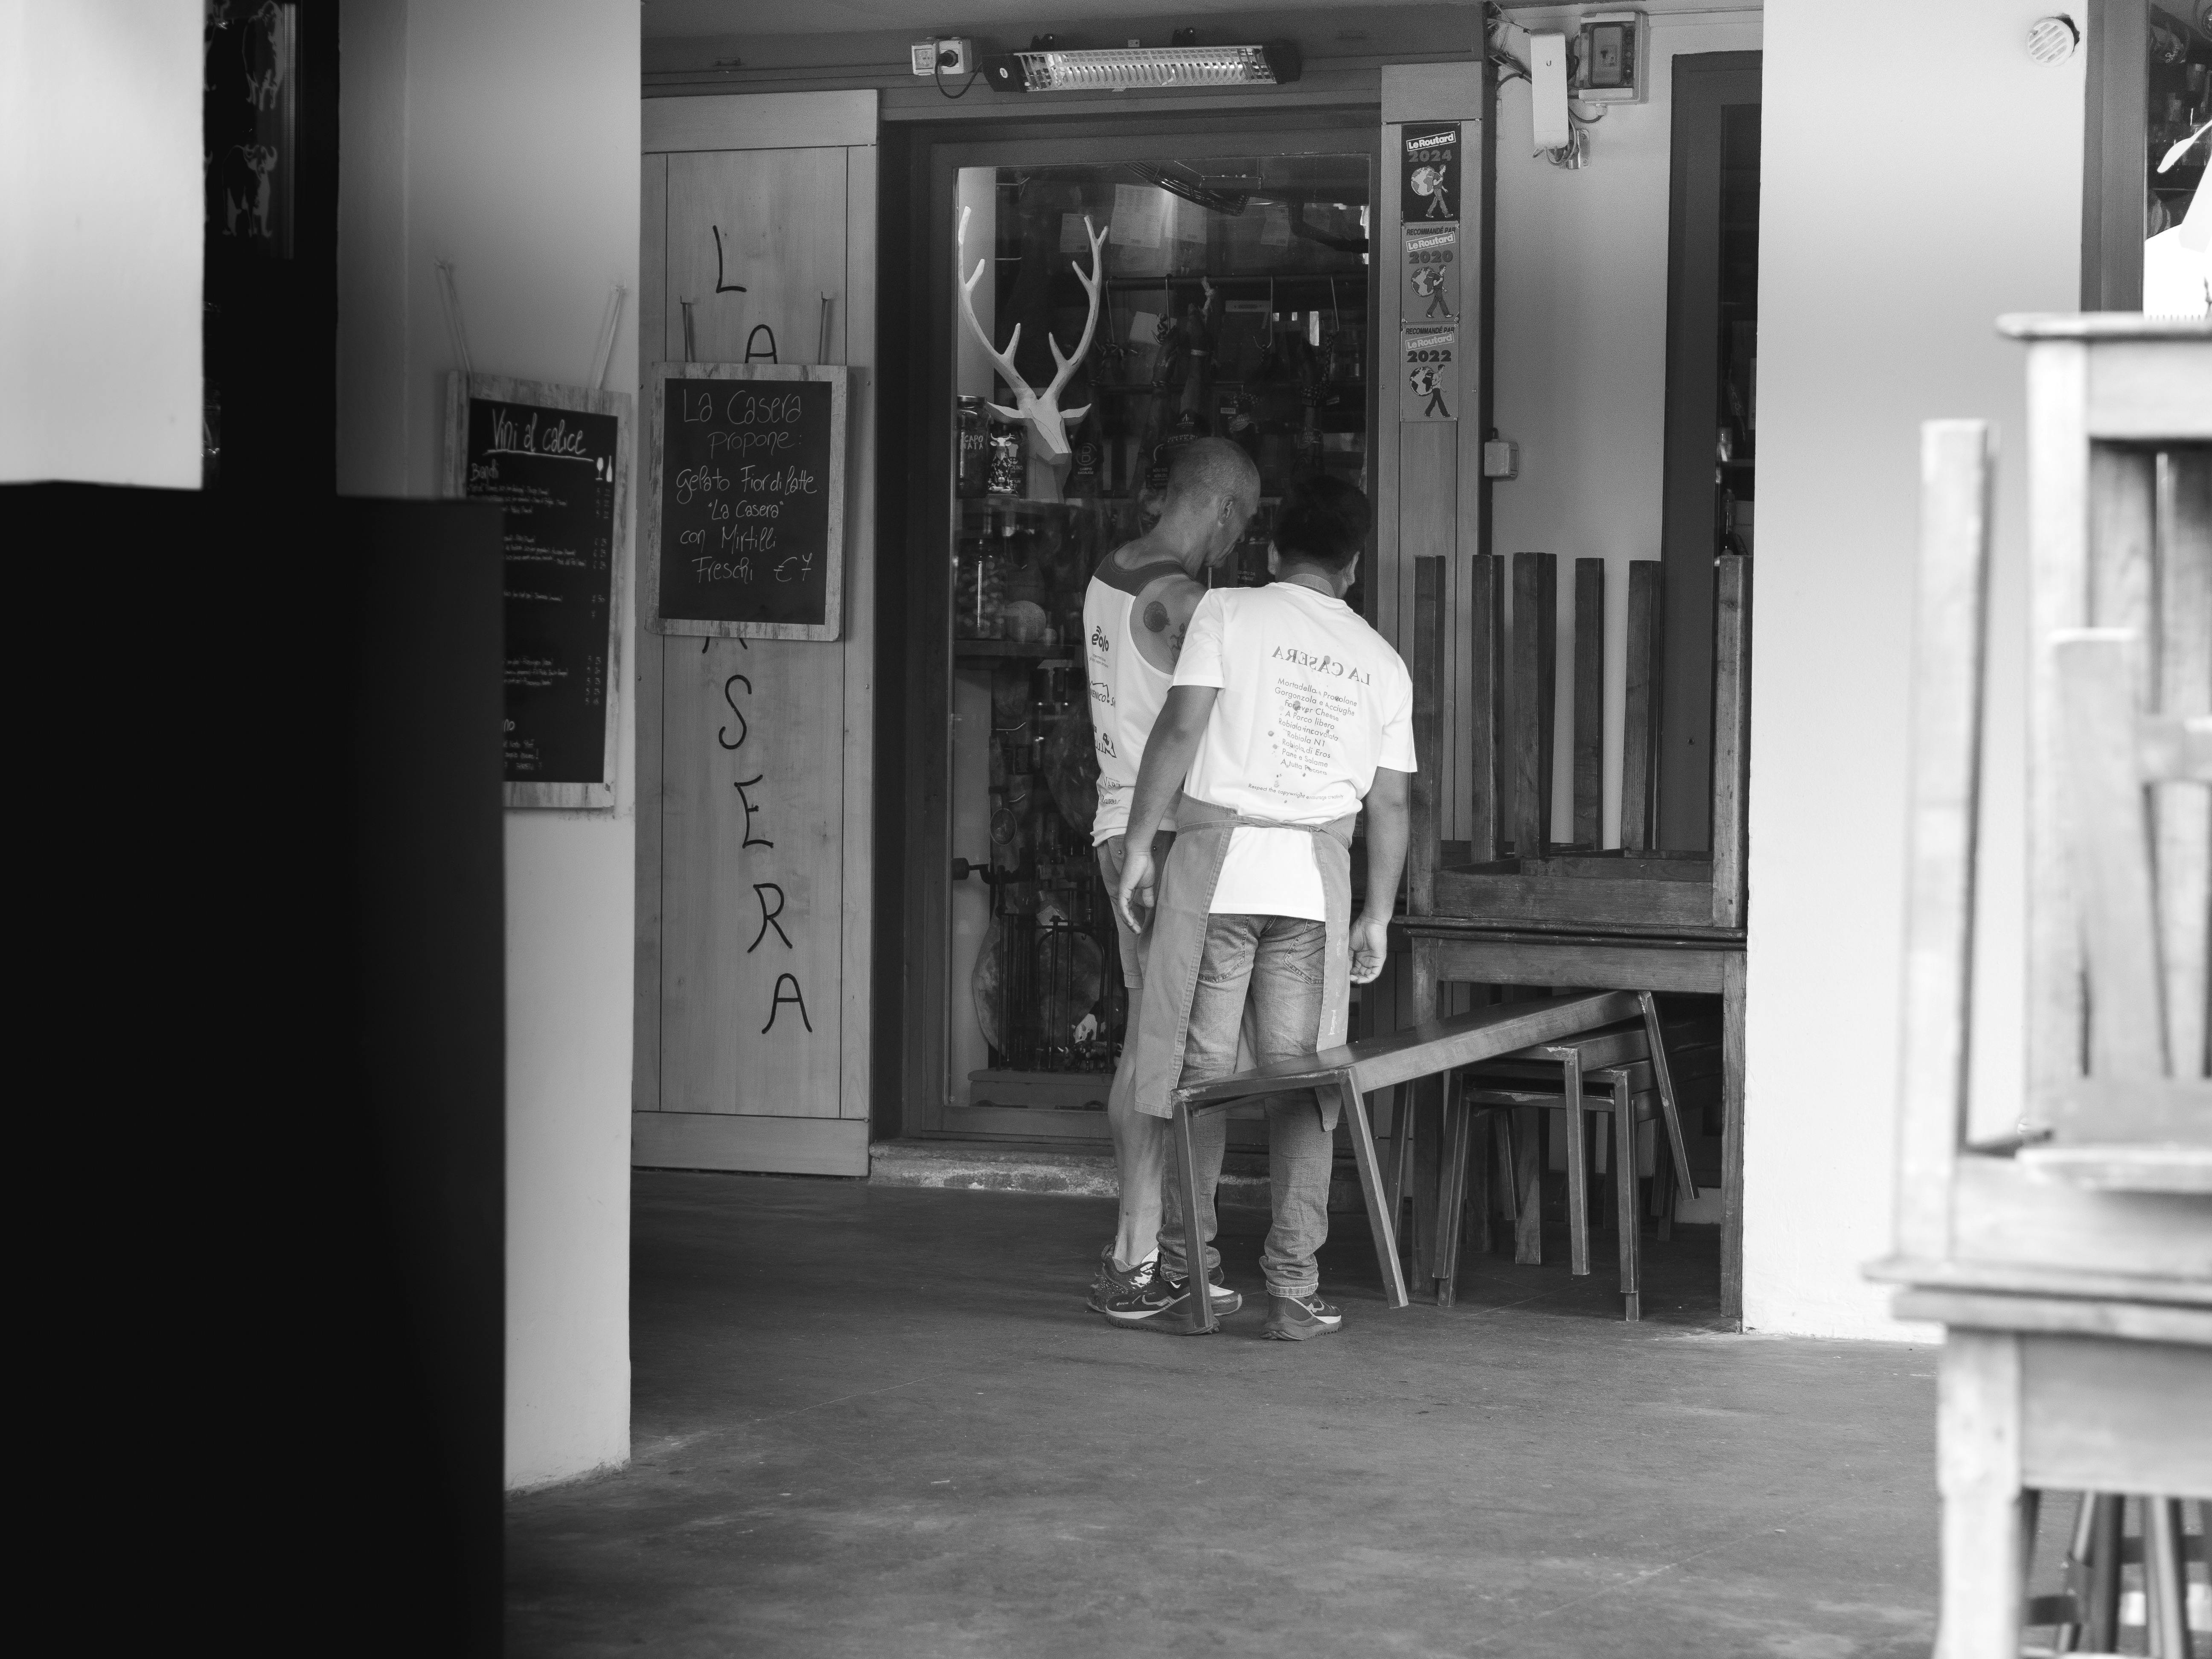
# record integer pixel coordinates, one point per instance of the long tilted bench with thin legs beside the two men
(1384, 1063)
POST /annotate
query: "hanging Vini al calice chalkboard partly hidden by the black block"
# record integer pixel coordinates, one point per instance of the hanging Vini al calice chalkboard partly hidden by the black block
(559, 461)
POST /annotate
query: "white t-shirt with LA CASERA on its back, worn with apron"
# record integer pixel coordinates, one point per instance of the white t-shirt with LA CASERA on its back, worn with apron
(1313, 702)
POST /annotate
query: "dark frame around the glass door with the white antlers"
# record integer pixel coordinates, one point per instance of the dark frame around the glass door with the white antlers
(919, 525)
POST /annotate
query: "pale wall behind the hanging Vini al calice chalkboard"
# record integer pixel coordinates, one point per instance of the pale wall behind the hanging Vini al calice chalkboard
(503, 136)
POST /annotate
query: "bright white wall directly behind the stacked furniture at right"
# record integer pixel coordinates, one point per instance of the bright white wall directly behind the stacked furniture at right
(1921, 176)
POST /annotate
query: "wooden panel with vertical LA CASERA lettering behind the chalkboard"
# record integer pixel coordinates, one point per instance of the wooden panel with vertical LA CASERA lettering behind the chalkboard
(753, 731)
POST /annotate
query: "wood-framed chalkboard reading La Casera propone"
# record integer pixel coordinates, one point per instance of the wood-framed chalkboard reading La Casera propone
(747, 501)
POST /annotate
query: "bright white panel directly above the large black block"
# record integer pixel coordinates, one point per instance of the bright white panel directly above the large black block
(101, 222)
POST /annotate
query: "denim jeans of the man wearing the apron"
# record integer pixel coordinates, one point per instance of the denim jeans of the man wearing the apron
(1280, 961)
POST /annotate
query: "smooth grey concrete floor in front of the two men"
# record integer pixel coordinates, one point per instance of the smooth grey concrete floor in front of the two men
(879, 1421)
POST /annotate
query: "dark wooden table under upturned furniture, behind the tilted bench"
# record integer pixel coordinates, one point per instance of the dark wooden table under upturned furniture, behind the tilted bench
(1711, 961)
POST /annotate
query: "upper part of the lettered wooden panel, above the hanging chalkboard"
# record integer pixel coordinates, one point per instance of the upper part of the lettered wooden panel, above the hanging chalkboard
(764, 222)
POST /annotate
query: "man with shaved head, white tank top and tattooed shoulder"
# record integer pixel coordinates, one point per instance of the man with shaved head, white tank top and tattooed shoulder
(1136, 614)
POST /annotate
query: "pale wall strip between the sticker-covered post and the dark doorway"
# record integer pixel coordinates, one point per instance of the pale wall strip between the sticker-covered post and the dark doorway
(1580, 355)
